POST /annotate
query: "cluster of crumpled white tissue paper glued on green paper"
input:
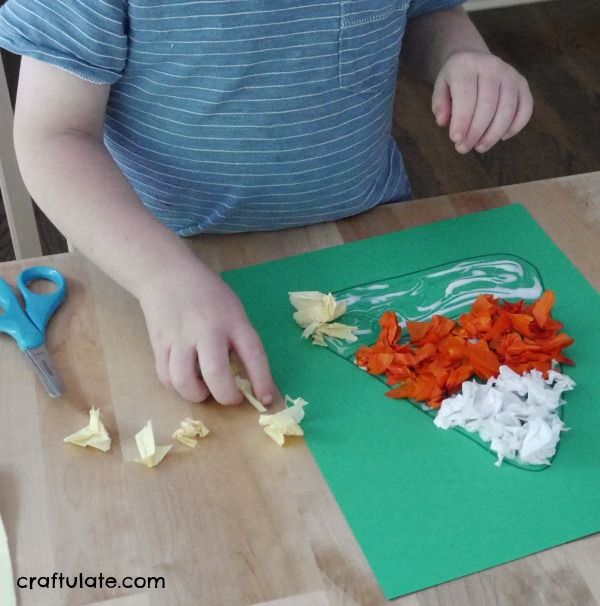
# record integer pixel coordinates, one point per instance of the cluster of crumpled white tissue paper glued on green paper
(517, 414)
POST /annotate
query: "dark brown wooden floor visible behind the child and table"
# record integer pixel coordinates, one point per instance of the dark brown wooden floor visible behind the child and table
(556, 45)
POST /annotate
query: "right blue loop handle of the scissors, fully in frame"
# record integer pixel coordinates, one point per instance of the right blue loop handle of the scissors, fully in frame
(40, 307)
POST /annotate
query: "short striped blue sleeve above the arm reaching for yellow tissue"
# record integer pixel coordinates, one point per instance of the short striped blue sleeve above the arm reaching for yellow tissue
(88, 39)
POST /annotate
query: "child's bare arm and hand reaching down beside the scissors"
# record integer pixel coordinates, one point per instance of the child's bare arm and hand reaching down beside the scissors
(192, 315)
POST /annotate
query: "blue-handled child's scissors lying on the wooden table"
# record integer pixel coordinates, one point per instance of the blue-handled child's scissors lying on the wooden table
(28, 326)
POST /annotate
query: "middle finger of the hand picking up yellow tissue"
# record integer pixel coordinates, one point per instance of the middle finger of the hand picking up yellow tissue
(216, 370)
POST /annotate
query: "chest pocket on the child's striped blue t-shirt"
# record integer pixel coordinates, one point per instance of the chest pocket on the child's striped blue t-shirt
(369, 44)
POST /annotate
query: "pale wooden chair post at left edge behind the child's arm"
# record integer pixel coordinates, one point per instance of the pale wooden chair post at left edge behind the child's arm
(17, 202)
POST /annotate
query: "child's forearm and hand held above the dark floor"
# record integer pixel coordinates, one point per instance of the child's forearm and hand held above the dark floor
(481, 97)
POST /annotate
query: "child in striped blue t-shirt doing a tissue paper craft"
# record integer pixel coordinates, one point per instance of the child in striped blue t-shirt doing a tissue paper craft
(141, 121)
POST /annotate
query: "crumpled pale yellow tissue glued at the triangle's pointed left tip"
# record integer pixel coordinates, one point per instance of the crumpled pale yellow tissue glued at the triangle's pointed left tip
(315, 312)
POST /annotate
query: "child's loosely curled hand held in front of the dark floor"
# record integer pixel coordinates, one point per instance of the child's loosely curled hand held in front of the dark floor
(482, 98)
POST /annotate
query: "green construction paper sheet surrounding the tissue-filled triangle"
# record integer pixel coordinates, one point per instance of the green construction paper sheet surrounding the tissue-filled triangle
(427, 505)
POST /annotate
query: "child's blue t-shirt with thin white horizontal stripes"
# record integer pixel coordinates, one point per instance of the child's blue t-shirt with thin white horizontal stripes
(237, 115)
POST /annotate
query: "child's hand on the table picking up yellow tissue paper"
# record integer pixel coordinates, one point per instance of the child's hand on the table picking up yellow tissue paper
(194, 319)
